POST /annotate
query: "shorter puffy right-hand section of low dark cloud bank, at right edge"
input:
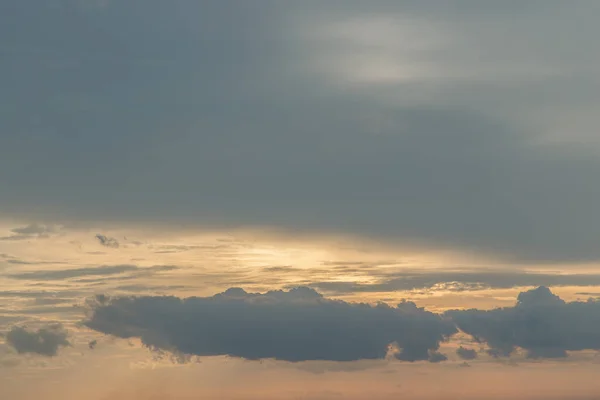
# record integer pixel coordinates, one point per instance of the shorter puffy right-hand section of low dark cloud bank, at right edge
(541, 323)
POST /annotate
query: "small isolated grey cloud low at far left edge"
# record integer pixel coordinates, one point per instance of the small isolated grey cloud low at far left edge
(45, 341)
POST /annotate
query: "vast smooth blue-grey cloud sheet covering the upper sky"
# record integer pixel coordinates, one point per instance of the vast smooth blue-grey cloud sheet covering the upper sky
(212, 113)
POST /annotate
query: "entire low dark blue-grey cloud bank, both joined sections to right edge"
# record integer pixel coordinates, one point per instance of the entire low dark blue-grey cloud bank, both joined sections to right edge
(302, 325)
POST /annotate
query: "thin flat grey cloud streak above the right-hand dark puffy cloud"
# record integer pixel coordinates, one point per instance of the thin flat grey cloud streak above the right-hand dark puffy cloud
(459, 281)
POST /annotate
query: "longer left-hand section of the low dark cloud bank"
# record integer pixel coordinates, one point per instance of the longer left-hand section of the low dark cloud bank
(296, 325)
